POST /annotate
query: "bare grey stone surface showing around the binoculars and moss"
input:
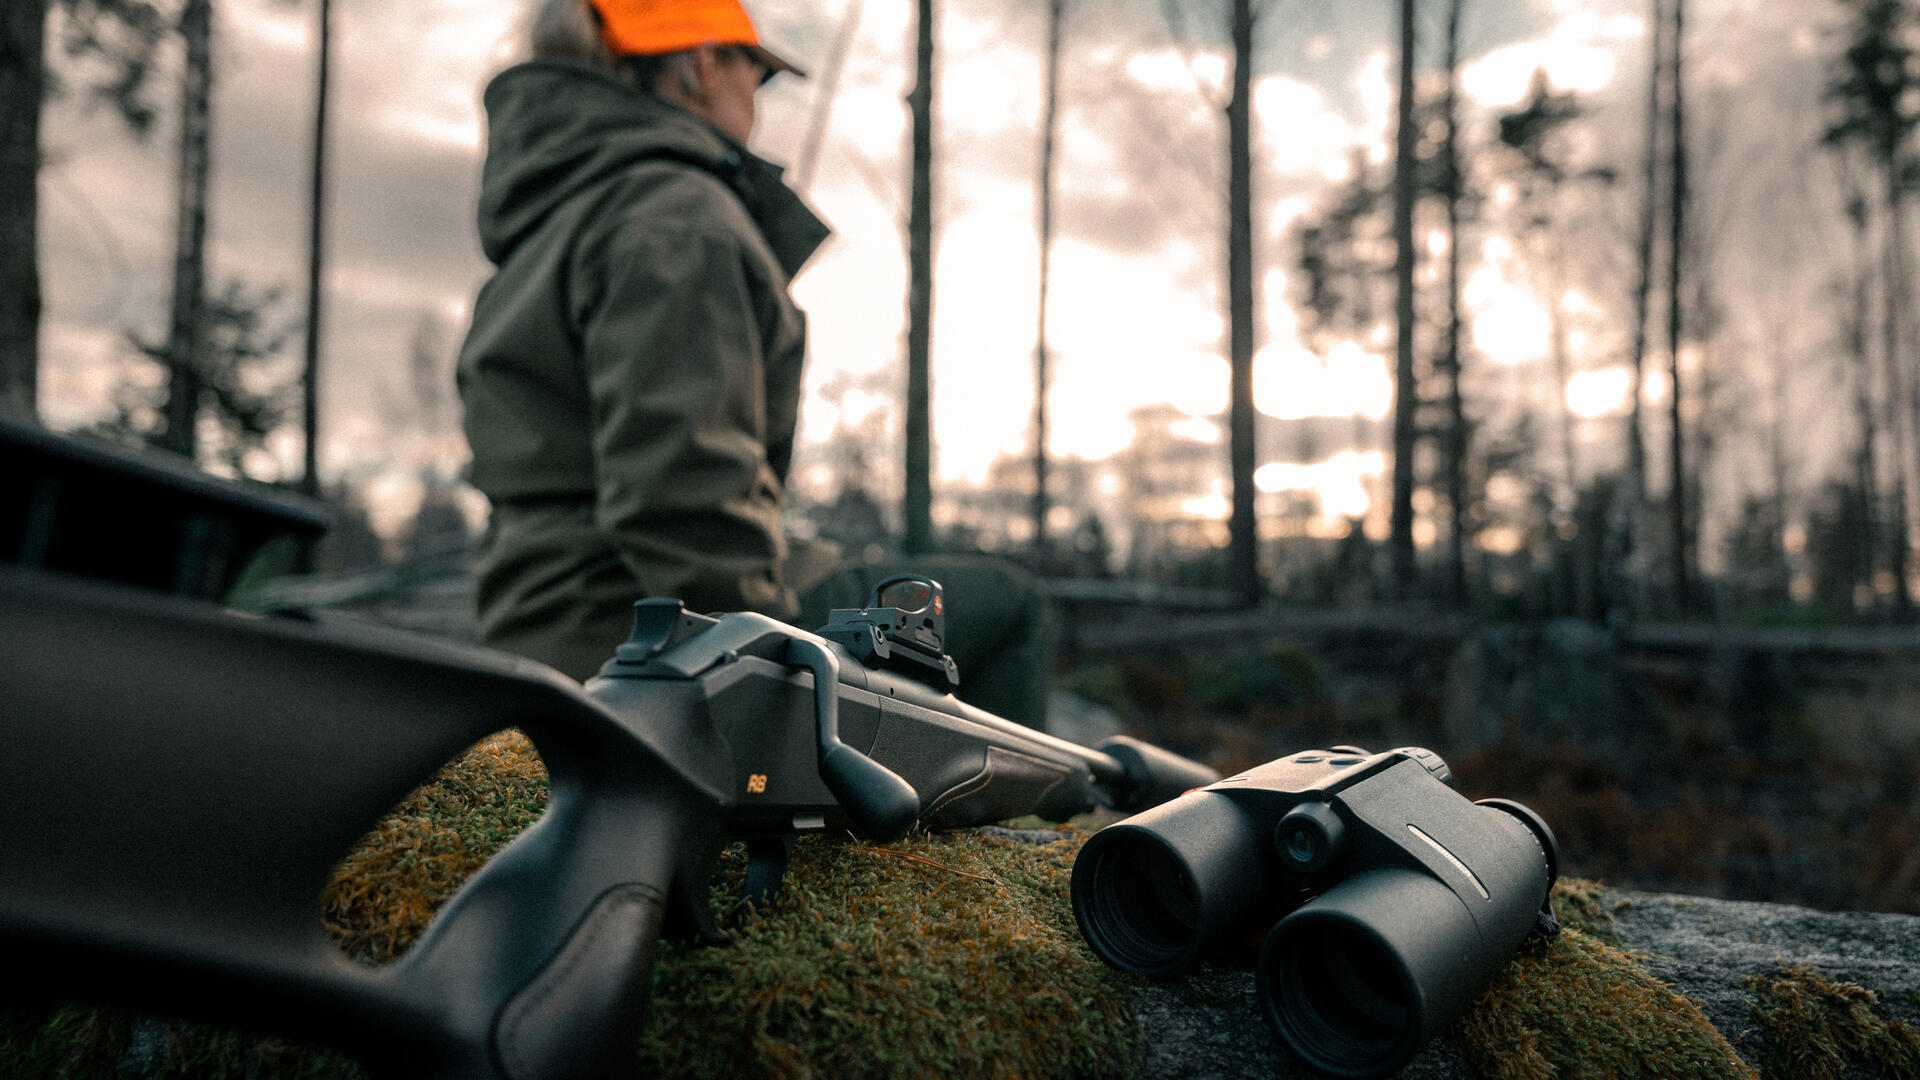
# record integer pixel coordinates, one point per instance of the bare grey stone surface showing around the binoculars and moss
(1211, 1029)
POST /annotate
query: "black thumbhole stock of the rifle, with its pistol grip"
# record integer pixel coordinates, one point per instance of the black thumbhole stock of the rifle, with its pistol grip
(185, 781)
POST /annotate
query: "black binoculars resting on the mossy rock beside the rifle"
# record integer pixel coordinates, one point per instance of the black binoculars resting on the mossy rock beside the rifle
(1387, 900)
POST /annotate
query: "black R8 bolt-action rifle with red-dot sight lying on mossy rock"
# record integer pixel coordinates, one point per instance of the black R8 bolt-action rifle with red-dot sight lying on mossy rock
(183, 779)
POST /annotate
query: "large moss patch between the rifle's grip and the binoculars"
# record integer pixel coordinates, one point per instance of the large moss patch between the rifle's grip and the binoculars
(940, 956)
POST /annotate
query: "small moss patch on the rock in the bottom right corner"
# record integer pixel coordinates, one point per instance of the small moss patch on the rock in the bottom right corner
(1815, 1029)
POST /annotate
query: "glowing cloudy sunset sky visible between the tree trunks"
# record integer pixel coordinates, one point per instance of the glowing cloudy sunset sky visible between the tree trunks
(1138, 293)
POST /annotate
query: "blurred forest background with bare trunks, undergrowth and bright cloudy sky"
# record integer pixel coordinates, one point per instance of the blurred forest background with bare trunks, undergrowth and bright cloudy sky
(1502, 410)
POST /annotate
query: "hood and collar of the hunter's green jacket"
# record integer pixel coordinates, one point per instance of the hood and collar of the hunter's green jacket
(558, 130)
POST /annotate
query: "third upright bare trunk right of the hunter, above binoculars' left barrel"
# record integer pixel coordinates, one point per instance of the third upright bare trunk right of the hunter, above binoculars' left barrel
(1243, 551)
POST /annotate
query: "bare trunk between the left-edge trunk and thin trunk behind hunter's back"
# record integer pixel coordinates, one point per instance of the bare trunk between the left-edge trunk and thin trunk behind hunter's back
(185, 341)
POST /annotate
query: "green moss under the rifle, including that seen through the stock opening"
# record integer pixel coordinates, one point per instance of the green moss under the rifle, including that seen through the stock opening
(934, 956)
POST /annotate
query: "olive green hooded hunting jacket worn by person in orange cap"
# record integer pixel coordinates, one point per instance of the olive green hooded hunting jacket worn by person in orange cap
(633, 376)
